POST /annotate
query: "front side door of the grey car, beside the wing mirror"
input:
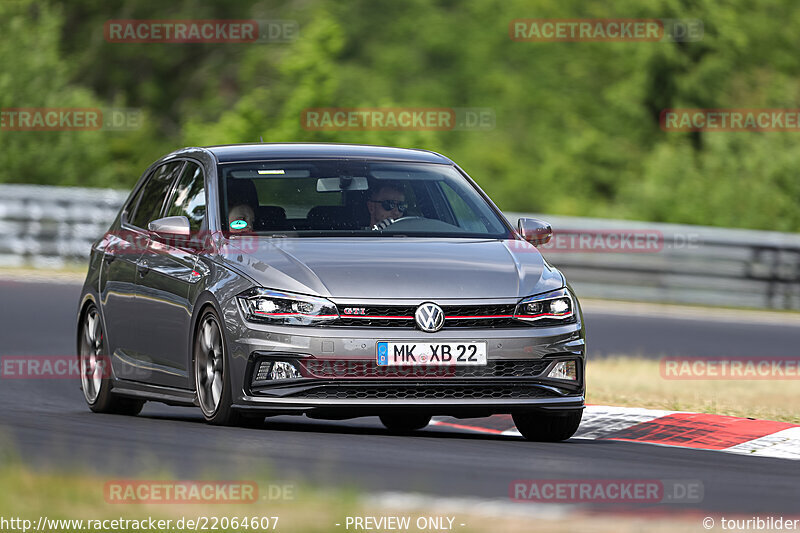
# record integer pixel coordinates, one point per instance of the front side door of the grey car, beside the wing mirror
(165, 275)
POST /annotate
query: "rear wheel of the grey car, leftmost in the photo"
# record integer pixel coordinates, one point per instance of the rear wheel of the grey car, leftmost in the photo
(95, 369)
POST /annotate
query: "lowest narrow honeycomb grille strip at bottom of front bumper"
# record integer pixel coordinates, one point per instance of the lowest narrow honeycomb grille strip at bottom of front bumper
(424, 392)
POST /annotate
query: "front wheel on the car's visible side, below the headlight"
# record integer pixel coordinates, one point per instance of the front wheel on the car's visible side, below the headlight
(212, 382)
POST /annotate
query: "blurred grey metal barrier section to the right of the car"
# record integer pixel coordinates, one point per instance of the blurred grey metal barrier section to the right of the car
(678, 263)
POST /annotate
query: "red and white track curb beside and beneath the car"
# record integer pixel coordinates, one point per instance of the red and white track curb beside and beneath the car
(760, 438)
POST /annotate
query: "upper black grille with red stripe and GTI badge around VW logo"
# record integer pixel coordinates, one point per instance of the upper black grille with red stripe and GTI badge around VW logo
(456, 316)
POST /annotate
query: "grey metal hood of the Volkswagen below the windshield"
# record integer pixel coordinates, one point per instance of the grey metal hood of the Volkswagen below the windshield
(394, 268)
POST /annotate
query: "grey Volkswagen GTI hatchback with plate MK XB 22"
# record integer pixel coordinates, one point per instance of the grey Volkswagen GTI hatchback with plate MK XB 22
(329, 280)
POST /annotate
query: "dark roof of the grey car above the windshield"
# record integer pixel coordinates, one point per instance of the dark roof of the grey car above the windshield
(265, 151)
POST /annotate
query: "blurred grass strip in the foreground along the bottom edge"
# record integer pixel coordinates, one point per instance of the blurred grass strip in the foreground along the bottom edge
(30, 494)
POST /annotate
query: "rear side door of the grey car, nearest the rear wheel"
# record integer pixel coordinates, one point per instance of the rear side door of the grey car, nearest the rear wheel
(128, 361)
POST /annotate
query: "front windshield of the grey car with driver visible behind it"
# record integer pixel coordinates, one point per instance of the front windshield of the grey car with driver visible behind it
(358, 198)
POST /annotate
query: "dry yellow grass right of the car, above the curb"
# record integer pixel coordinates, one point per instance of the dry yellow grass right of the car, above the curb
(636, 382)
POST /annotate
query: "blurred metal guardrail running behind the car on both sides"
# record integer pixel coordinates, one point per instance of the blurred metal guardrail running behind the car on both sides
(54, 226)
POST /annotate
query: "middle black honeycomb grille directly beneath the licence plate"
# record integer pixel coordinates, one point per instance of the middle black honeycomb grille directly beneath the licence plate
(343, 369)
